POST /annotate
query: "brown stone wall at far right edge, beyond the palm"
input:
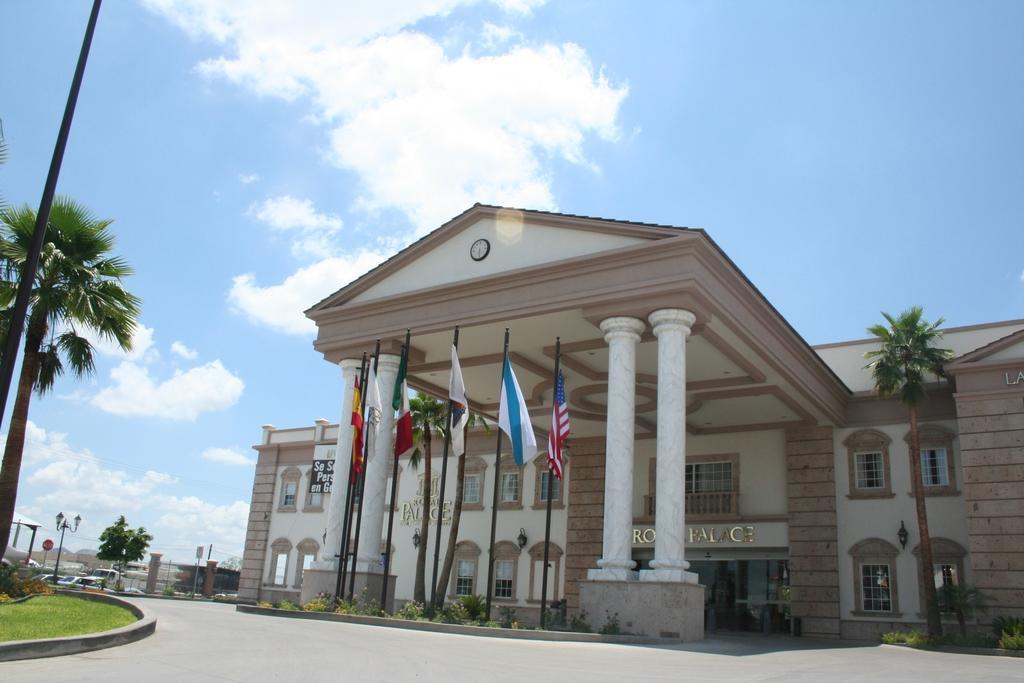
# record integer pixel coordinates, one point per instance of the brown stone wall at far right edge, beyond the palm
(992, 434)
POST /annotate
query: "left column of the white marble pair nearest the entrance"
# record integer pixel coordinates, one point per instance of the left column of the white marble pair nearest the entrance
(617, 562)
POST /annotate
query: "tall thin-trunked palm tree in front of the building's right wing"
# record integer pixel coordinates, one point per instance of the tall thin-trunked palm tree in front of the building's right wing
(900, 368)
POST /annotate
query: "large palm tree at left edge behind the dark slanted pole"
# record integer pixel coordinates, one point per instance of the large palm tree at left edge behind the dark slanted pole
(77, 287)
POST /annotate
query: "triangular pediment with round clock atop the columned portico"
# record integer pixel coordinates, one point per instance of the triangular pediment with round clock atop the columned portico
(506, 240)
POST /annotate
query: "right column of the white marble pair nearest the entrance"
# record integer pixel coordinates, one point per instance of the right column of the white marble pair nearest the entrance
(672, 327)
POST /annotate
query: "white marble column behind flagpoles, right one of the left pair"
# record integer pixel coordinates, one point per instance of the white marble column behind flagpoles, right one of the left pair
(379, 467)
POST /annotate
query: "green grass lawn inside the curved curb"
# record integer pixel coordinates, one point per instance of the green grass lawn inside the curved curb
(56, 616)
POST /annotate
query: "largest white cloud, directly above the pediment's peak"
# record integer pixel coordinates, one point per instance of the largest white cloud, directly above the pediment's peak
(426, 134)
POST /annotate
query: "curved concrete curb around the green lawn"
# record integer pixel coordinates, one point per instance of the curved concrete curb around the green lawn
(53, 648)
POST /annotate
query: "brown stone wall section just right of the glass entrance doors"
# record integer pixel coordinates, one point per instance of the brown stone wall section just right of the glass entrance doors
(814, 541)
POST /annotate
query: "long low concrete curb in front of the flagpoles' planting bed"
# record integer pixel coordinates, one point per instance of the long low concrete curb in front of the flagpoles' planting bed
(481, 631)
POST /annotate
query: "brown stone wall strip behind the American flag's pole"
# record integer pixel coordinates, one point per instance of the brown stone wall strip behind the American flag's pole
(586, 518)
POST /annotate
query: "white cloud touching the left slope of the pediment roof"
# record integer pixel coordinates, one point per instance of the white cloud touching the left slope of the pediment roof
(281, 307)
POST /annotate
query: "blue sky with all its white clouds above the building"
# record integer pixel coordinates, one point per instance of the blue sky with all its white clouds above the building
(850, 158)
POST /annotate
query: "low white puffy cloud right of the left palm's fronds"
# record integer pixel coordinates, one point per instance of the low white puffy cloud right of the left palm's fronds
(185, 397)
